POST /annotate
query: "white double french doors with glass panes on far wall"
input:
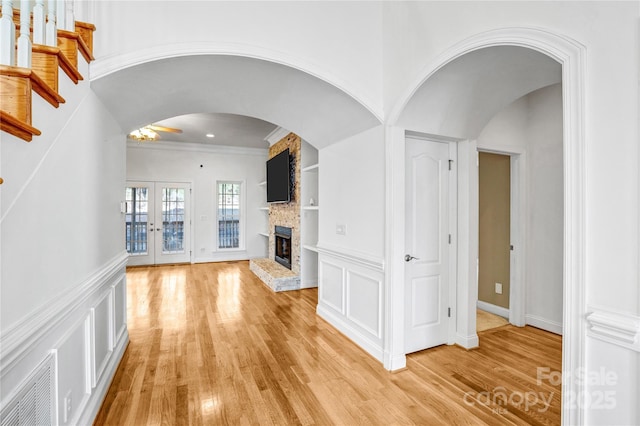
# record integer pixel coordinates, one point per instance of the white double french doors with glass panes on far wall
(158, 224)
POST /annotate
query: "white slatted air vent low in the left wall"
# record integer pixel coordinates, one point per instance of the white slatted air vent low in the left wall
(33, 403)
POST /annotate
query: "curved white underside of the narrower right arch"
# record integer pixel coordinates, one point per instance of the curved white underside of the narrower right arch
(460, 98)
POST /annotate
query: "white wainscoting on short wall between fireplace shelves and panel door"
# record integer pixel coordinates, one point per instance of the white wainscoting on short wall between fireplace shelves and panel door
(351, 297)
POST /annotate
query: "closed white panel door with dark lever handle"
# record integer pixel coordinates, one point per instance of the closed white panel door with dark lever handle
(427, 244)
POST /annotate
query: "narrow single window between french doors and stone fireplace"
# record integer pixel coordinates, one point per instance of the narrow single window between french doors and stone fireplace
(229, 215)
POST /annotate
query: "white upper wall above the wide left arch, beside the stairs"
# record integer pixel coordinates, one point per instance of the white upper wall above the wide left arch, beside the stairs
(309, 35)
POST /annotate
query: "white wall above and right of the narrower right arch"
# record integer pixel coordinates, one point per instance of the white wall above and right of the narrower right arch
(416, 33)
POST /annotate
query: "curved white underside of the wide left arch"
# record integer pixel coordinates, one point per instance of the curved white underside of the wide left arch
(156, 91)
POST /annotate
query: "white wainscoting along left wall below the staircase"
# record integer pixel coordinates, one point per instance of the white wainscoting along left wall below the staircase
(85, 330)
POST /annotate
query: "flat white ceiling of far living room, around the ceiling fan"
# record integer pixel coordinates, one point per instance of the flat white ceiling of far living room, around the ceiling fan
(228, 130)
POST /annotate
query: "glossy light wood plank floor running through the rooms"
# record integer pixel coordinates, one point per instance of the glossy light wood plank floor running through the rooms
(210, 344)
